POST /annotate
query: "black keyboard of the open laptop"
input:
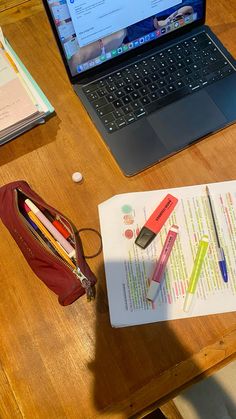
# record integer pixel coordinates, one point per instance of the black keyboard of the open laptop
(156, 81)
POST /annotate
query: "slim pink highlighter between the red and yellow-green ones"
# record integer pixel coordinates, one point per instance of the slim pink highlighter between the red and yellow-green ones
(162, 261)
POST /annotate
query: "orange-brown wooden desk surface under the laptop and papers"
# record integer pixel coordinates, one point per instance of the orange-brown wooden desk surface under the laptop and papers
(67, 361)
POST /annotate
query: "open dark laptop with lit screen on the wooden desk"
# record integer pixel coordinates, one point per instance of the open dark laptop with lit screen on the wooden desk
(153, 78)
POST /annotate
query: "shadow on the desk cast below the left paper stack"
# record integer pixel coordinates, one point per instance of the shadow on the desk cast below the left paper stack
(30, 141)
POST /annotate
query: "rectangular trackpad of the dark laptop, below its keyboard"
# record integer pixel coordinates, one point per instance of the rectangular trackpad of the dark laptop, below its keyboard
(180, 123)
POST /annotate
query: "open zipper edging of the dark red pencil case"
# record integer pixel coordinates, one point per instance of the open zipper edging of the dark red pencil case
(85, 282)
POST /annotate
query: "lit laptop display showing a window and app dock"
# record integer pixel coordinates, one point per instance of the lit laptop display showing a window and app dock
(92, 32)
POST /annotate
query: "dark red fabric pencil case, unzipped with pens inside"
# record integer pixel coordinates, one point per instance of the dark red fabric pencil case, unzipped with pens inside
(68, 280)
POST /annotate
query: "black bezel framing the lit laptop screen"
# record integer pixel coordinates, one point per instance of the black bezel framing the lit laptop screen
(116, 61)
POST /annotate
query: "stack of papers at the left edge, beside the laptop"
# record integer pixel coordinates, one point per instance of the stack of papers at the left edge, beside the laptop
(22, 103)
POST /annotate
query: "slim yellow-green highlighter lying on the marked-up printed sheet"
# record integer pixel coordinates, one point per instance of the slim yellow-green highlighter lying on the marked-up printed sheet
(197, 266)
